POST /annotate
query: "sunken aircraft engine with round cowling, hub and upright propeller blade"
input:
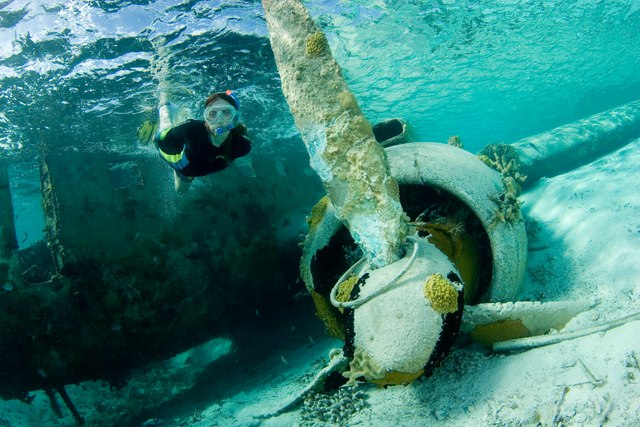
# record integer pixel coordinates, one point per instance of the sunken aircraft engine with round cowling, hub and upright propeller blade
(460, 241)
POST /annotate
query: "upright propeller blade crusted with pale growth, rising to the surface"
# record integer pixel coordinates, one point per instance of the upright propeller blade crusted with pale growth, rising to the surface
(340, 141)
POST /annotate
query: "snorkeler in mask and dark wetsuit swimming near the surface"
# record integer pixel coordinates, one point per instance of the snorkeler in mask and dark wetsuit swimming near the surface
(200, 147)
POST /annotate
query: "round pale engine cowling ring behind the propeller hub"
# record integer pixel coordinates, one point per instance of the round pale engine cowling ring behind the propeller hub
(455, 201)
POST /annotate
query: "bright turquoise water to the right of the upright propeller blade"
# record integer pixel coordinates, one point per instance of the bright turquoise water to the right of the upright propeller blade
(490, 71)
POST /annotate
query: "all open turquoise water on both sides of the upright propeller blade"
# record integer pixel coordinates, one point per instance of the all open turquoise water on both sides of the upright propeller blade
(83, 75)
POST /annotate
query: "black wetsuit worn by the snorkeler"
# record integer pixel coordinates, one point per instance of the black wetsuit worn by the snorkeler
(189, 151)
